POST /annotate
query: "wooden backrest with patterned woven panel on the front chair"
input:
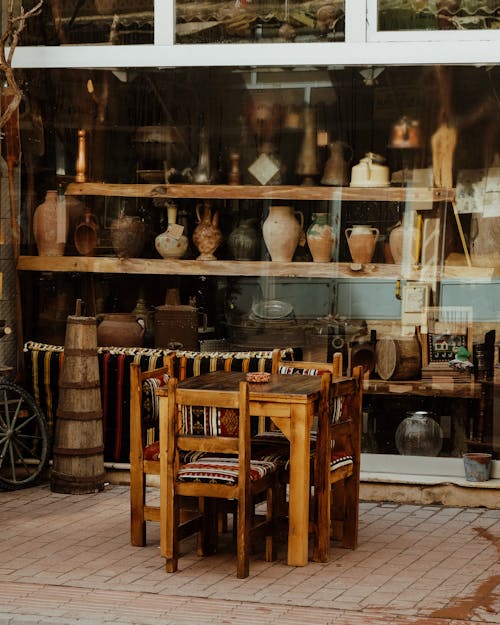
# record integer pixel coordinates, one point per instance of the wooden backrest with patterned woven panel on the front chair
(212, 407)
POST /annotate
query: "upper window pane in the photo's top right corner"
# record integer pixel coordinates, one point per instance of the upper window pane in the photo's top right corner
(438, 14)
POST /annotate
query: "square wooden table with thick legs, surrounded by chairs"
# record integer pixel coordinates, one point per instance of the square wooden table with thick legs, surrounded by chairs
(290, 401)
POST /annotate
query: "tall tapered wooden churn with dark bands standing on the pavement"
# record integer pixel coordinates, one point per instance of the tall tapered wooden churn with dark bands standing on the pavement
(78, 453)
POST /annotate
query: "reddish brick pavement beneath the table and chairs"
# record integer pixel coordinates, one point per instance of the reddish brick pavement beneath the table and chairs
(66, 559)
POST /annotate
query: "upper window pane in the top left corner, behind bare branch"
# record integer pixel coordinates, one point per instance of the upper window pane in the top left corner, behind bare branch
(60, 22)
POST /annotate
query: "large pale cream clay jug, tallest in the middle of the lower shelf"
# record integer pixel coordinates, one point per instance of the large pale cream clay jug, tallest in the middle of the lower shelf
(282, 232)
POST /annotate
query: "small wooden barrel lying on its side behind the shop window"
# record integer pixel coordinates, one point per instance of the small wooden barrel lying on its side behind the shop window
(398, 358)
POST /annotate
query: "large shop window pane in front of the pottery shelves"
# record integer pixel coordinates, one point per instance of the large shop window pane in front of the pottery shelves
(399, 166)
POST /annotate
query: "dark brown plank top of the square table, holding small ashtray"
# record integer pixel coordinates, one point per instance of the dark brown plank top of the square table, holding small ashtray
(300, 388)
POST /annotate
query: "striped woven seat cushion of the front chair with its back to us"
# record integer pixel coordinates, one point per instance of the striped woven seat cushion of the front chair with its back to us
(220, 470)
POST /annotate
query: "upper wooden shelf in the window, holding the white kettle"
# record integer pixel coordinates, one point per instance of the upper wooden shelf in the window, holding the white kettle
(256, 192)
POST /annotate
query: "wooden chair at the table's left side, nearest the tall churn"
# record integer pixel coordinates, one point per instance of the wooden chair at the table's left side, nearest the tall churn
(144, 448)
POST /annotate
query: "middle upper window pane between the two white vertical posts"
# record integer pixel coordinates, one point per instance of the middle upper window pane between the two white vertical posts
(267, 22)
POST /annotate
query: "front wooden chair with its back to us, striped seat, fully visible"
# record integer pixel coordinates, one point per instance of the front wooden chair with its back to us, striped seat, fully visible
(229, 474)
